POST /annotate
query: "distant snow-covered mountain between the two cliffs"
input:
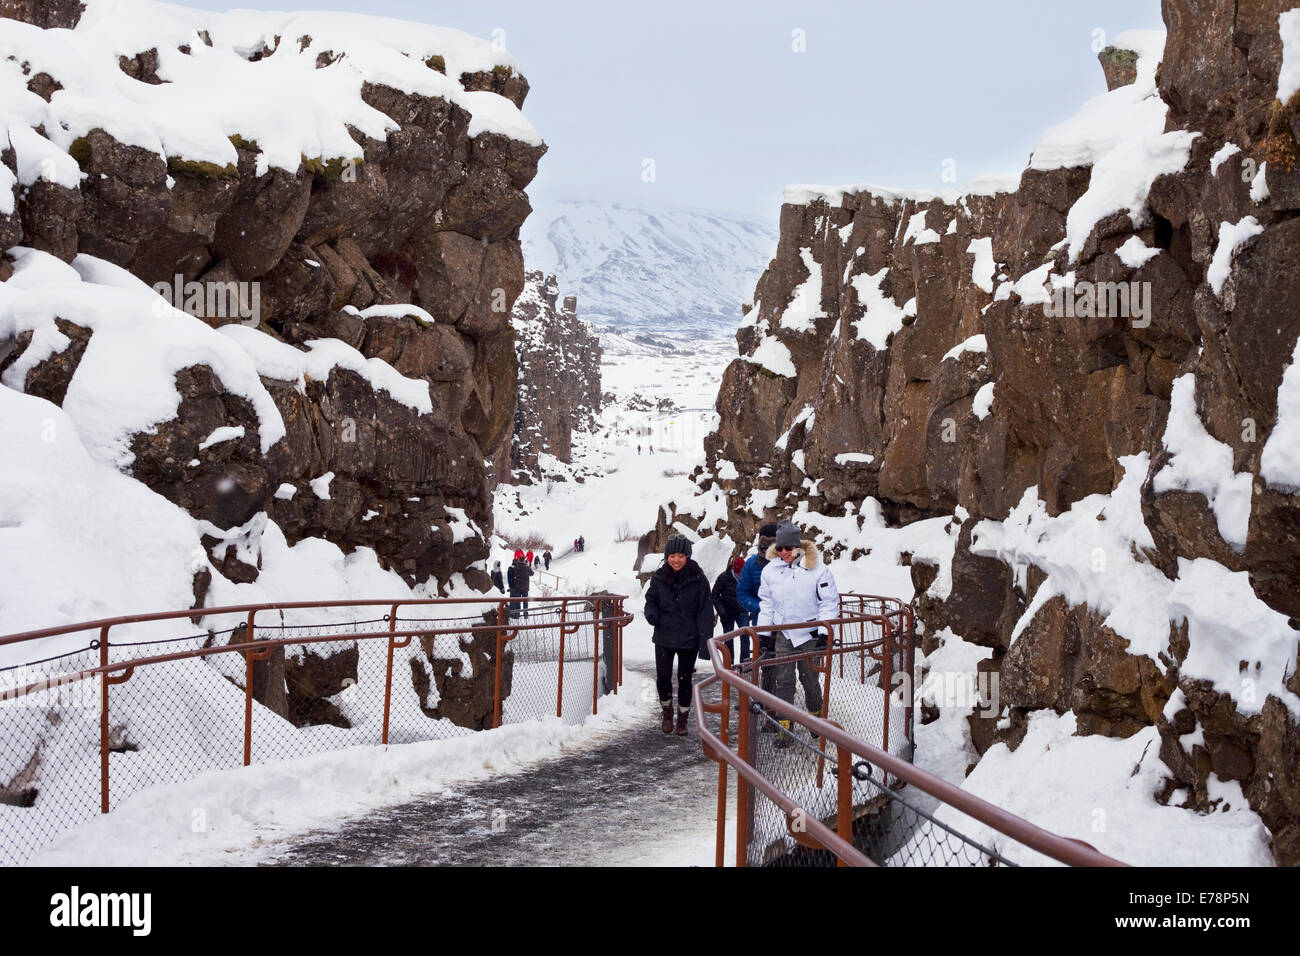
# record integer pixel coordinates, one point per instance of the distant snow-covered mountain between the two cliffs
(652, 269)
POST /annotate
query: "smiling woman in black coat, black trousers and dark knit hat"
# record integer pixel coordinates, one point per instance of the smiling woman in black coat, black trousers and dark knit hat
(681, 611)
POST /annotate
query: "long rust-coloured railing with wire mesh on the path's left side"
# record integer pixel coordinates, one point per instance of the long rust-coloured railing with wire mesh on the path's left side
(582, 625)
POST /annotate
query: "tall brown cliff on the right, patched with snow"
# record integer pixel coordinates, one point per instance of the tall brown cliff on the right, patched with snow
(973, 356)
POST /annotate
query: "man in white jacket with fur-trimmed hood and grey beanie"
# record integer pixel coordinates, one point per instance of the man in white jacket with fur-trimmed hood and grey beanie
(796, 587)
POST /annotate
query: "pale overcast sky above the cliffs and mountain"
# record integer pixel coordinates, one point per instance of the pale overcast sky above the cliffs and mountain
(730, 109)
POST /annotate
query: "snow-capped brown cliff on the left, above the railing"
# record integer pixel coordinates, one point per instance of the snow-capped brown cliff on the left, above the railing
(395, 236)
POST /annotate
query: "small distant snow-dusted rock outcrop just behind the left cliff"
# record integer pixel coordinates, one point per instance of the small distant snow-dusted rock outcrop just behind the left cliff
(560, 377)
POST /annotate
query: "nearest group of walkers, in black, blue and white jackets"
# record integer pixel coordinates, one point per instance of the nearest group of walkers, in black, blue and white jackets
(785, 582)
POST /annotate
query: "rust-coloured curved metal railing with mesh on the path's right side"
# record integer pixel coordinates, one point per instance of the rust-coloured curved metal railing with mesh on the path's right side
(864, 820)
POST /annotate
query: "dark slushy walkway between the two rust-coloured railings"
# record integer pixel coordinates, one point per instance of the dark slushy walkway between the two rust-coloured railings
(634, 798)
